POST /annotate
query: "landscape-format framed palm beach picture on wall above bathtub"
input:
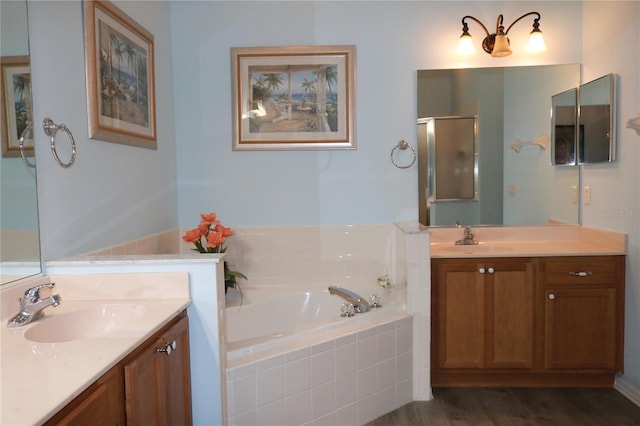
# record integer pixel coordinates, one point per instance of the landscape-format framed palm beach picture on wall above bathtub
(294, 97)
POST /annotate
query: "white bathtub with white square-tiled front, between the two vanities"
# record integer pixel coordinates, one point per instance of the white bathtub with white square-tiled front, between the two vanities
(294, 360)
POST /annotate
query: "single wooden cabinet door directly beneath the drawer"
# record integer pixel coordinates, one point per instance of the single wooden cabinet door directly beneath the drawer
(580, 328)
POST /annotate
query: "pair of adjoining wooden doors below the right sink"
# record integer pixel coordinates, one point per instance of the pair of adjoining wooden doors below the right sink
(482, 314)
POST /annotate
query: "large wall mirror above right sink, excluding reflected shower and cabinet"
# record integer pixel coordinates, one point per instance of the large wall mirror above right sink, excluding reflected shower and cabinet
(512, 104)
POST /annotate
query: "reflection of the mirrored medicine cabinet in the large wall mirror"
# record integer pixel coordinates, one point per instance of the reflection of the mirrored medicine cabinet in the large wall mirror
(564, 115)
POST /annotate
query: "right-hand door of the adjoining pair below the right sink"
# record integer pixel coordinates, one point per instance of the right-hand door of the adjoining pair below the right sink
(509, 314)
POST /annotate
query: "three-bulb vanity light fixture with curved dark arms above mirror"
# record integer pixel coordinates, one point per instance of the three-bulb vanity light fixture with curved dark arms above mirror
(497, 44)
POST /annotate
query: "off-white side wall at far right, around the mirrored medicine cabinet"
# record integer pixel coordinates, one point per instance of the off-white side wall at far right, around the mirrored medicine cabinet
(615, 197)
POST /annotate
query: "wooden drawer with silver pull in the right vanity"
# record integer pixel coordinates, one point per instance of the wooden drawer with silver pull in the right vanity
(582, 270)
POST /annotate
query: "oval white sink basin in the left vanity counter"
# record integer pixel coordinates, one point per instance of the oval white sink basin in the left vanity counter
(84, 323)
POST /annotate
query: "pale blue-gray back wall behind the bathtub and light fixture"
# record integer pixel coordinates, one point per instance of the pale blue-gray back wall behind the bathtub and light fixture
(393, 38)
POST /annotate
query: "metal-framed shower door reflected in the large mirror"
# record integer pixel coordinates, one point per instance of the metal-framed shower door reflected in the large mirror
(449, 146)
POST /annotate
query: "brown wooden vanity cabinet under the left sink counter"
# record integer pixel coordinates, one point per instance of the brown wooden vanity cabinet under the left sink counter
(147, 387)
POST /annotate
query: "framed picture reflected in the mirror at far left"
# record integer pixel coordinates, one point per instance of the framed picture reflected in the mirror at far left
(16, 107)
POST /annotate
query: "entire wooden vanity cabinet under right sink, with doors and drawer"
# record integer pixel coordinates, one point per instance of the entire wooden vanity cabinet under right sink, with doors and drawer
(548, 321)
